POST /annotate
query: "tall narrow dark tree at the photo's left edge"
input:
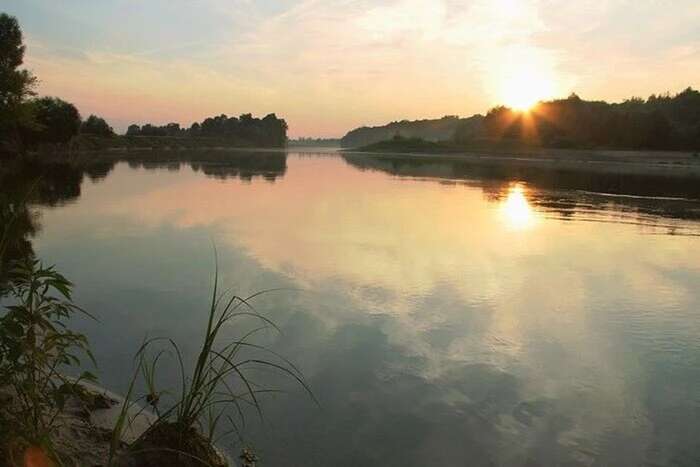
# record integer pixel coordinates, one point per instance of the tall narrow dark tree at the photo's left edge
(15, 85)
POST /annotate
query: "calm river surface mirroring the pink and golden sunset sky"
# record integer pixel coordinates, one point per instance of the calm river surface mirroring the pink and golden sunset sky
(443, 314)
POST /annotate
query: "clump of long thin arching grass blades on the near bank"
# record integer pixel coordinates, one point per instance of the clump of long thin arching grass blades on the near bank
(217, 389)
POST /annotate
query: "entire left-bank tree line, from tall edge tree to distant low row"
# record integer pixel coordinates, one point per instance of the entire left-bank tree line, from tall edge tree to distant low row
(28, 122)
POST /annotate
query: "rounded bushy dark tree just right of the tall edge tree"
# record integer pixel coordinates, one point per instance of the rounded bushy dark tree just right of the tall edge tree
(57, 121)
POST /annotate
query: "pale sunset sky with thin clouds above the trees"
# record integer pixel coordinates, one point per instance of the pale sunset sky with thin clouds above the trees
(328, 66)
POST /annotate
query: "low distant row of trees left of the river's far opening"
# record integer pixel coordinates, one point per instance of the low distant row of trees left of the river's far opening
(269, 131)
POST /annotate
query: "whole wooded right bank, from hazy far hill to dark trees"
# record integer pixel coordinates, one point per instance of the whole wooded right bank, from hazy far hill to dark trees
(661, 122)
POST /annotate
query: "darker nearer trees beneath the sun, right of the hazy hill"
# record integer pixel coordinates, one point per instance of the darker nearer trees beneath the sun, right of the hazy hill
(670, 122)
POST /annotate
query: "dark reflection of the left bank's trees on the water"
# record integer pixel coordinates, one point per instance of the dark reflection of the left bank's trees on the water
(28, 183)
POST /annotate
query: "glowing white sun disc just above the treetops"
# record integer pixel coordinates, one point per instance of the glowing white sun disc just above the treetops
(524, 86)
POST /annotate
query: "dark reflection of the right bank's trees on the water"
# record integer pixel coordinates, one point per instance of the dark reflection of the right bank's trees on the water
(564, 192)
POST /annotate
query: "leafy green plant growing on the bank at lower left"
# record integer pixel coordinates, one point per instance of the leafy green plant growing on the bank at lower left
(36, 347)
